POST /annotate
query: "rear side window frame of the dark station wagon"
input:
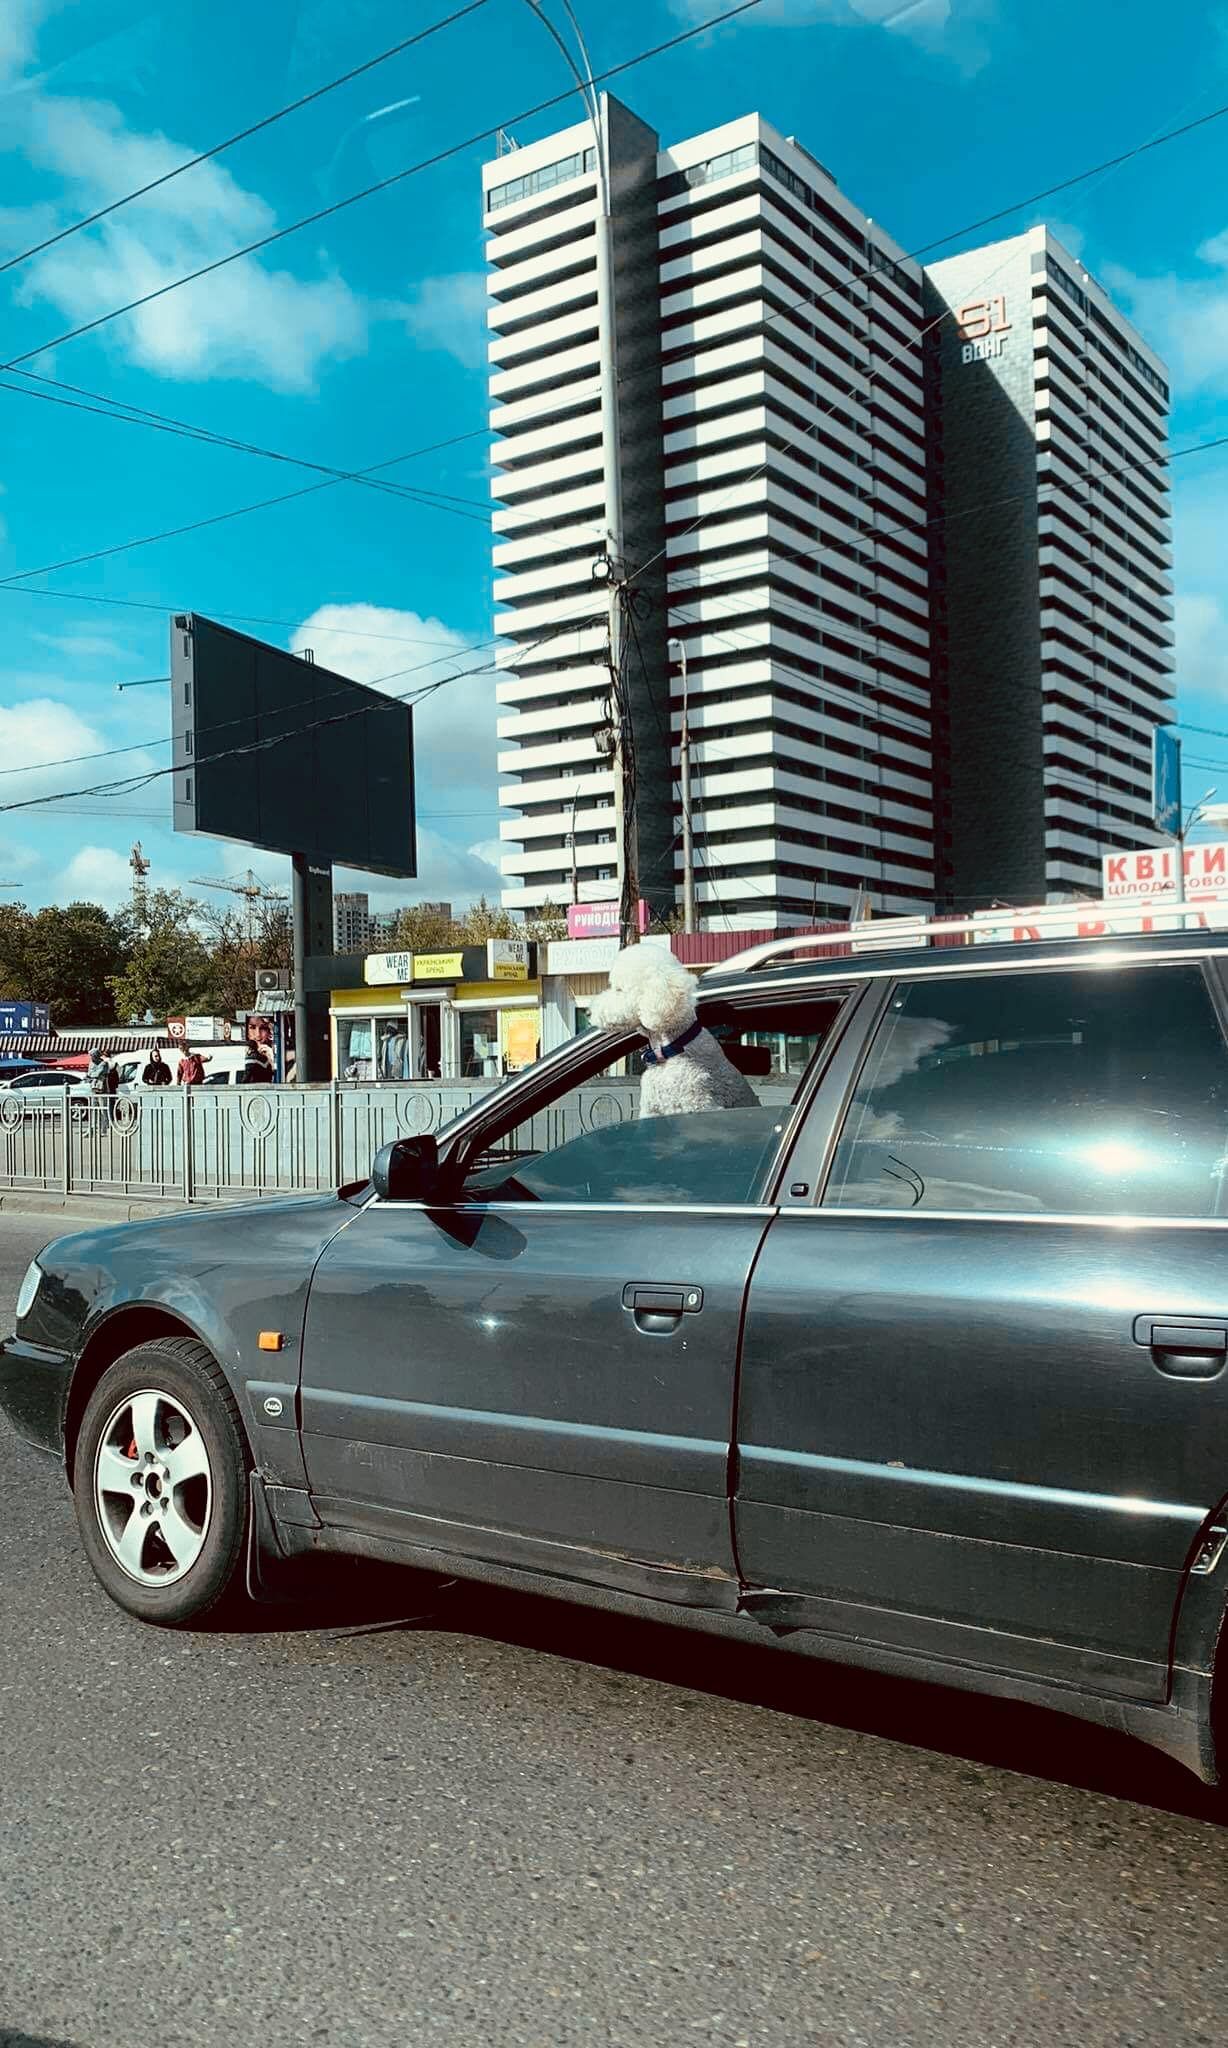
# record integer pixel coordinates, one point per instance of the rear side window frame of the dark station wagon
(1215, 974)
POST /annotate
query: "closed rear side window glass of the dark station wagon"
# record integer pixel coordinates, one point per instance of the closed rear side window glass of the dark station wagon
(1043, 1093)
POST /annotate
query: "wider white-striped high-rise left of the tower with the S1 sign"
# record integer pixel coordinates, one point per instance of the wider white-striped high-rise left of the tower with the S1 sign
(773, 452)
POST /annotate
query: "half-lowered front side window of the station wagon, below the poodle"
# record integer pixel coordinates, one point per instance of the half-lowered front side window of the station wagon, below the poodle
(593, 1142)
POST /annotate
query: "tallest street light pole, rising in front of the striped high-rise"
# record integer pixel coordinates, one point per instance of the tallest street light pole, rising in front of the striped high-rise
(613, 468)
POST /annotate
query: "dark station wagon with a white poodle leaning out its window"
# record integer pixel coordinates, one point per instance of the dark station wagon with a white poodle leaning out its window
(920, 1363)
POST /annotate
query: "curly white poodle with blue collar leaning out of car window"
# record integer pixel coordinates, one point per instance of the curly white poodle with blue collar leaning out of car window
(654, 992)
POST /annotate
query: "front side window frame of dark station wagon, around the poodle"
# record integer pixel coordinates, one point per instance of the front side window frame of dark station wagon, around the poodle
(588, 1056)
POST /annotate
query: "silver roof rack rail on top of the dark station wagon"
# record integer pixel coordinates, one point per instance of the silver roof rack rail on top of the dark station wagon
(1006, 925)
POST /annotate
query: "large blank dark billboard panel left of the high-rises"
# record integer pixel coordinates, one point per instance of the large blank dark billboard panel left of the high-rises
(290, 757)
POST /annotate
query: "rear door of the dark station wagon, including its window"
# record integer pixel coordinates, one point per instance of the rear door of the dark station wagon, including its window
(983, 1396)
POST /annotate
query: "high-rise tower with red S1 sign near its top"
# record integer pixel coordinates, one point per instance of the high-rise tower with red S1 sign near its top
(1051, 556)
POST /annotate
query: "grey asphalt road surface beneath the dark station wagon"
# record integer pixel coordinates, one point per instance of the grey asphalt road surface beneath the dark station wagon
(517, 1824)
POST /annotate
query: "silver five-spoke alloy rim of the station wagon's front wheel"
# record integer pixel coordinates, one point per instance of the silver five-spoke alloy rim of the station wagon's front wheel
(152, 1488)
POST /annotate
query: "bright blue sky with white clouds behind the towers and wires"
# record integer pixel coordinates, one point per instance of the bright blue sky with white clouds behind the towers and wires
(363, 339)
